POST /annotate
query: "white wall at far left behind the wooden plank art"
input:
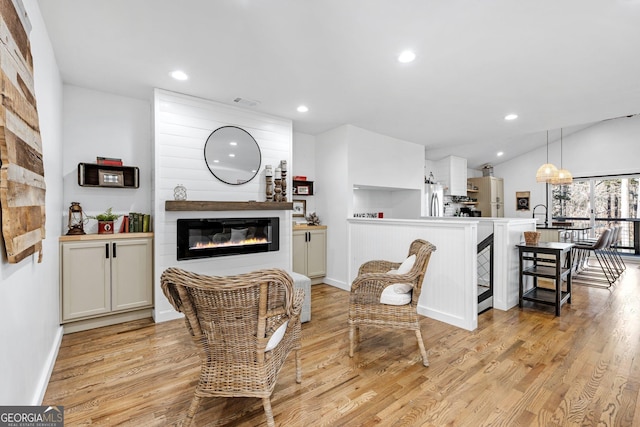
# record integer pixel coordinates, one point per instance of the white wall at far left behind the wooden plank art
(30, 332)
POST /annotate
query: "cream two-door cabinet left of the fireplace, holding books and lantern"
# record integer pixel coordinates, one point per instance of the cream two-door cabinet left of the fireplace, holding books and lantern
(101, 276)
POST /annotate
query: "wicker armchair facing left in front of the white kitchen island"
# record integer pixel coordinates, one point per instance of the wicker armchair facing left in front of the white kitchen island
(365, 308)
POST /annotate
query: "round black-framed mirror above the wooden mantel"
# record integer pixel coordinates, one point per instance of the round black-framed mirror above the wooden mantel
(232, 155)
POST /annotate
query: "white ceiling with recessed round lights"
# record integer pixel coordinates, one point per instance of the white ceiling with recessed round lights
(556, 63)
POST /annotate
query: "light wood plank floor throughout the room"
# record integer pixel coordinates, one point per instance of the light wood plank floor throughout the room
(521, 367)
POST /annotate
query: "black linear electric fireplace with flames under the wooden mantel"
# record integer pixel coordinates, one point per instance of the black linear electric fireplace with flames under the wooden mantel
(212, 237)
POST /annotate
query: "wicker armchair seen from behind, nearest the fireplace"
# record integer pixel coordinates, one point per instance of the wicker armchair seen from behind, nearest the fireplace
(234, 321)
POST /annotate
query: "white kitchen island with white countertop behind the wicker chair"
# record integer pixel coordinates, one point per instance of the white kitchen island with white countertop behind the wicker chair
(449, 291)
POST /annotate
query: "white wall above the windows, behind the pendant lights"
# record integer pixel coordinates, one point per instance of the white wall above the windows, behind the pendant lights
(606, 148)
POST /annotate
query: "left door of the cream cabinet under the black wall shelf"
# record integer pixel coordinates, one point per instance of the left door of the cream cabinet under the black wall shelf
(85, 279)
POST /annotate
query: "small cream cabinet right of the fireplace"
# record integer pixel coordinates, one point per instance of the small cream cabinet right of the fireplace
(310, 251)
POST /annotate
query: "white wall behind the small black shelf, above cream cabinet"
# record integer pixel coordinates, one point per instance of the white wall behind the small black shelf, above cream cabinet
(101, 124)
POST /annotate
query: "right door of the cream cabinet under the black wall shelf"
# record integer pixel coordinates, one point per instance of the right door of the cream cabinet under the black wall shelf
(131, 276)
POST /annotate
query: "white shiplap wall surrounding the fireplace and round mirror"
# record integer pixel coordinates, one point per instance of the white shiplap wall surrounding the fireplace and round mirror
(182, 125)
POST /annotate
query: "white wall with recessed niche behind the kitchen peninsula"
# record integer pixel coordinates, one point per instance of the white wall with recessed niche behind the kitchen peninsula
(348, 156)
